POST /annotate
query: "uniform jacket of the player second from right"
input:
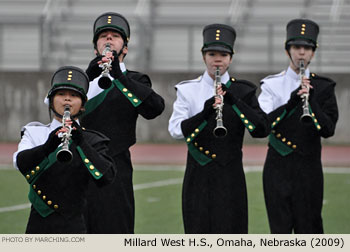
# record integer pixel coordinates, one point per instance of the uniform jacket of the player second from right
(187, 120)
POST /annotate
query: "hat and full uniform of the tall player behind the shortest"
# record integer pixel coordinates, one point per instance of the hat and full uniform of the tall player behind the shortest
(114, 111)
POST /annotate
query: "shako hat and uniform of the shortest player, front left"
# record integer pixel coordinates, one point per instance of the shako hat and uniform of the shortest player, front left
(58, 190)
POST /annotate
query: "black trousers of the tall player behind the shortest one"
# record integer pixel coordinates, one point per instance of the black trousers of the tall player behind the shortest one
(111, 208)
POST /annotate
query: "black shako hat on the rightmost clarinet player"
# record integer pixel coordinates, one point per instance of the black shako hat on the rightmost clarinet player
(302, 32)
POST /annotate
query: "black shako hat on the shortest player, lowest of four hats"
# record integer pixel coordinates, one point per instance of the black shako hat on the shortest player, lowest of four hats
(70, 77)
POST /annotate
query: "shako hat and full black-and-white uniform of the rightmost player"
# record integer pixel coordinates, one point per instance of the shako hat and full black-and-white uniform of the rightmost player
(292, 176)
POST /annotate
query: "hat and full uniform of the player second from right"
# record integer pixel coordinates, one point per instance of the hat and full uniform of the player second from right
(214, 198)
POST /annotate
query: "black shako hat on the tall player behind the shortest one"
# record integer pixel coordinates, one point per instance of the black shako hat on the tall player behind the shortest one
(112, 21)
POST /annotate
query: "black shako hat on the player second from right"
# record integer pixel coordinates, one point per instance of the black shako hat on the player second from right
(218, 37)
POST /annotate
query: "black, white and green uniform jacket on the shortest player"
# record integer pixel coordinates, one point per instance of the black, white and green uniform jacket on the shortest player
(57, 187)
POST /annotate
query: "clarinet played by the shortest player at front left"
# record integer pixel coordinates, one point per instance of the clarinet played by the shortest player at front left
(64, 155)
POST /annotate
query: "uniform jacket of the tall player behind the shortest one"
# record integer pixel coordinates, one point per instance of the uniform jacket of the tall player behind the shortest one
(114, 111)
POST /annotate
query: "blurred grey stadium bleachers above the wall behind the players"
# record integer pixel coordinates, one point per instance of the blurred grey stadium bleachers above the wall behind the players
(166, 34)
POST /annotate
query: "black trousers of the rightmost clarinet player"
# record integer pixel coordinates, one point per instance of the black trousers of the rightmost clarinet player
(293, 190)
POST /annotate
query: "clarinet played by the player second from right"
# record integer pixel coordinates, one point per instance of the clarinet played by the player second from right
(220, 130)
